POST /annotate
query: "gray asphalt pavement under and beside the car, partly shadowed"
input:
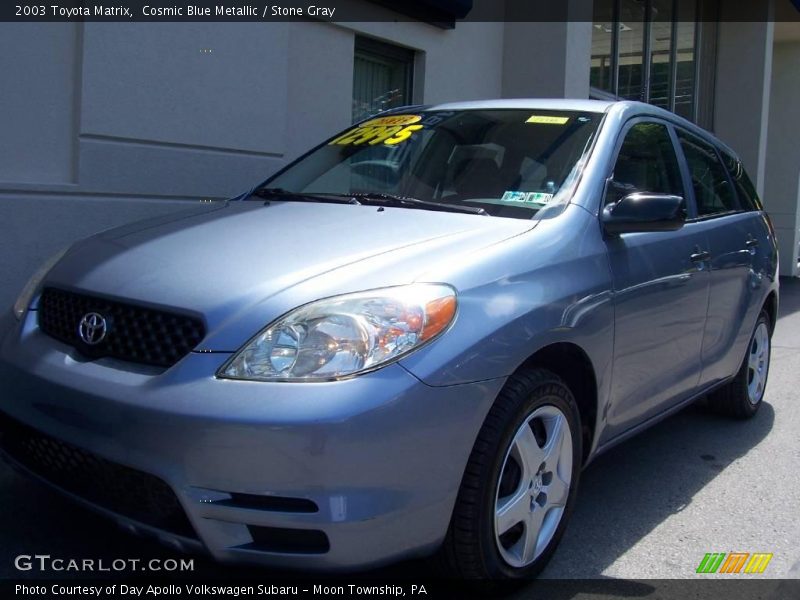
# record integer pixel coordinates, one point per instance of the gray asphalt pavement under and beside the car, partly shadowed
(650, 508)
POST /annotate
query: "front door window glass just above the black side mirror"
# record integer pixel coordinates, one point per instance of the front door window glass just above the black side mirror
(646, 163)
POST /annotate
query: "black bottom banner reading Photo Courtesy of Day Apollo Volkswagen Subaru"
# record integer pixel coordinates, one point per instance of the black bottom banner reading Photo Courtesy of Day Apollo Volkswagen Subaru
(577, 589)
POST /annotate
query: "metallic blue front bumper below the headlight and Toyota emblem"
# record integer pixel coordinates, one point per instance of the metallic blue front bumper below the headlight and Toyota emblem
(371, 465)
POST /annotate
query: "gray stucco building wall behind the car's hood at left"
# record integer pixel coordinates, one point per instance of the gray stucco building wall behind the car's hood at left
(106, 123)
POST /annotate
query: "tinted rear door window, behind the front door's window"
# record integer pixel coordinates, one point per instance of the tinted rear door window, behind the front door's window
(713, 192)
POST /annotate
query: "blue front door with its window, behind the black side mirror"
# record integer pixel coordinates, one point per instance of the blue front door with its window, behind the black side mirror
(661, 285)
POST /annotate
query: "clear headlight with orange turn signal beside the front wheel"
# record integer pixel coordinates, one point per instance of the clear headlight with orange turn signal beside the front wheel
(345, 335)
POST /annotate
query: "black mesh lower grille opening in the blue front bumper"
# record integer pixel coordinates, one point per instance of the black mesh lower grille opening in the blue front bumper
(120, 489)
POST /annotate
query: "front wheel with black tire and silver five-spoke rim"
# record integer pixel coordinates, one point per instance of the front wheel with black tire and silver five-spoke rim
(510, 487)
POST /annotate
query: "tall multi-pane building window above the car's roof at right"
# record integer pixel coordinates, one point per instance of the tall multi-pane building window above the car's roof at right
(653, 50)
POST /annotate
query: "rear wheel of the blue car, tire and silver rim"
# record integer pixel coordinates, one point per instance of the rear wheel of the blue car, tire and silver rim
(742, 396)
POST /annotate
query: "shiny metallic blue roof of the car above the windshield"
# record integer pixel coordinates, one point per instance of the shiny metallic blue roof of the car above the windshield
(622, 109)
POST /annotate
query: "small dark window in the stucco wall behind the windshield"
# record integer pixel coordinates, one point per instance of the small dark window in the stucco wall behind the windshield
(382, 77)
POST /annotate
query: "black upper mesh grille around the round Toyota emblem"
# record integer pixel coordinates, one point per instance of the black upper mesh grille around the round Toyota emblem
(134, 333)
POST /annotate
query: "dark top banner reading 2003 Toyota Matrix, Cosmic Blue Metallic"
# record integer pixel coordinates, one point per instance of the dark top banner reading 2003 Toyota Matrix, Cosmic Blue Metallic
(442, 13)
